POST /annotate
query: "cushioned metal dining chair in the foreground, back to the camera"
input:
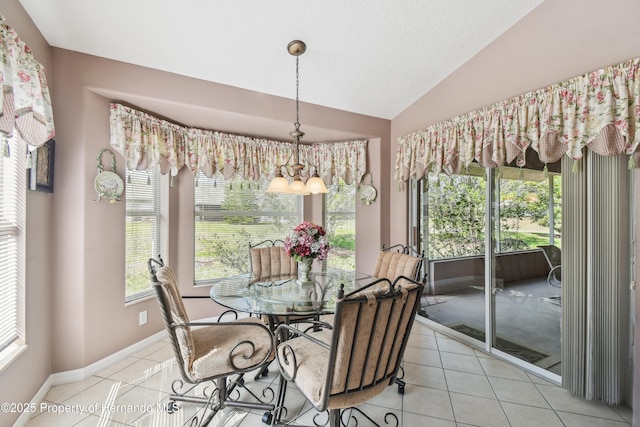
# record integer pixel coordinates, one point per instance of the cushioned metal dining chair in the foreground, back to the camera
(359, 357)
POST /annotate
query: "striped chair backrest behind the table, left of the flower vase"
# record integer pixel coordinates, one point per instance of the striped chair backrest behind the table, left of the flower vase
(269, 259)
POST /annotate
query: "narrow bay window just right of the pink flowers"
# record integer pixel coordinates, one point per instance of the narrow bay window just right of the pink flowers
(340, 221)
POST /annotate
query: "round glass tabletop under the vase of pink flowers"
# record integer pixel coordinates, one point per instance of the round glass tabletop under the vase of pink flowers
(284, 296)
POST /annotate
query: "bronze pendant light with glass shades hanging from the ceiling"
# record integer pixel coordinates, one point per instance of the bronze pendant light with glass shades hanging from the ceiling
(280, 184)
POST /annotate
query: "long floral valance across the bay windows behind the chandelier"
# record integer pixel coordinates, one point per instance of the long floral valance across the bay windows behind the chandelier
(145, 141)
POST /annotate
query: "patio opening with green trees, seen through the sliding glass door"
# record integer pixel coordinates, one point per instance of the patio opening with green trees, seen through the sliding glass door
(453, 217)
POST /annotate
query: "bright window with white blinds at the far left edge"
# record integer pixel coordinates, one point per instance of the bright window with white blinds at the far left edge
(12, 243)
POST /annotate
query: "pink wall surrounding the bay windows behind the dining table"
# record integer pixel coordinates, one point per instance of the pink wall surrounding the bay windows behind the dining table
(89, 241)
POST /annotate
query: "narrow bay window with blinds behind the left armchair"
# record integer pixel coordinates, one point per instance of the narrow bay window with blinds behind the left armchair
(146, 228)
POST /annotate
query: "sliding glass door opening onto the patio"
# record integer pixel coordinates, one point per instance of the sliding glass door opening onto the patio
(483, 234)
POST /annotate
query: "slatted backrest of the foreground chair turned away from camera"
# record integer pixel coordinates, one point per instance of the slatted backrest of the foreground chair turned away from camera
(370, 332)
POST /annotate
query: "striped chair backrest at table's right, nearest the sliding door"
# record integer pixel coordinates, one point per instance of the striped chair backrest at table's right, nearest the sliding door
(400, 262)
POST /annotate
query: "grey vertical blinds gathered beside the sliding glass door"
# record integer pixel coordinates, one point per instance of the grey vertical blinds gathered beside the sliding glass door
(595, 280)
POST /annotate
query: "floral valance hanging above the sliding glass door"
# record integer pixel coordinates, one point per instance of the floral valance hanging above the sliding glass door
(599, 110)
